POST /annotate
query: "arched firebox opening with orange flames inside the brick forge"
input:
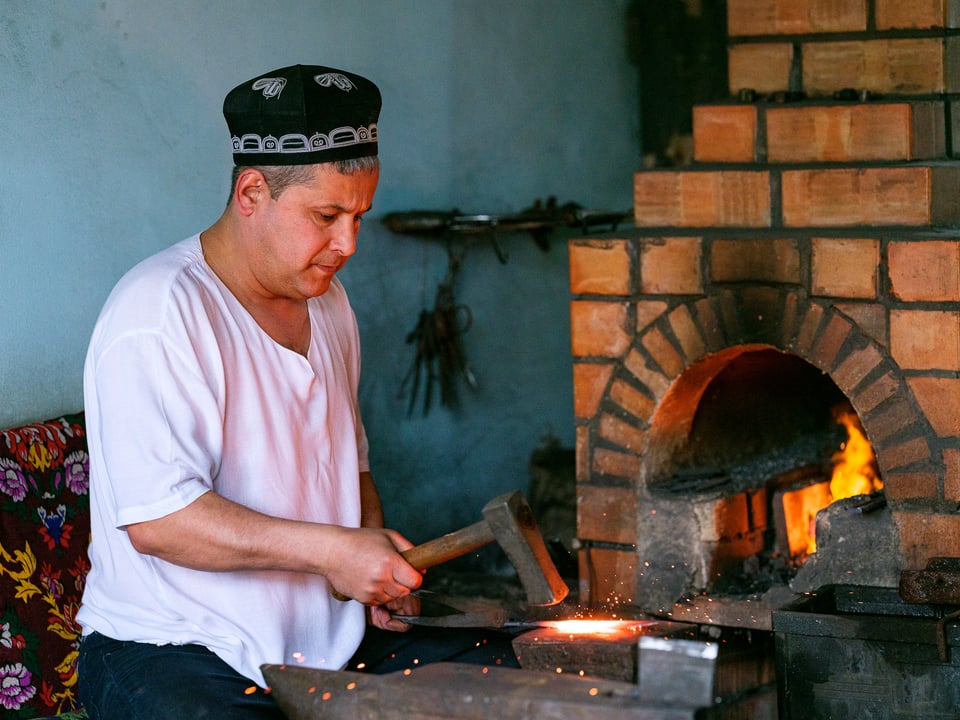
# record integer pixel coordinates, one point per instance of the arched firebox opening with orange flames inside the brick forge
(750, 440)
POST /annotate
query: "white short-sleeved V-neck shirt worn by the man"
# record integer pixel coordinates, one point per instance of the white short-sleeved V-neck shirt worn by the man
(184, 393)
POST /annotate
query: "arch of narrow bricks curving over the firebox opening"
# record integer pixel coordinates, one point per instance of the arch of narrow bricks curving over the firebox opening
(641, 419)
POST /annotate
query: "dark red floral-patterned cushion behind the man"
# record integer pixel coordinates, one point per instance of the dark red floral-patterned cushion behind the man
(44, 532)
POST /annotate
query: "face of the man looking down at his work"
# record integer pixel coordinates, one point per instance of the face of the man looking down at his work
(308, 233)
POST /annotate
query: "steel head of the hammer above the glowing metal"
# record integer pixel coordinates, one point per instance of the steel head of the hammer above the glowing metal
(511, 521)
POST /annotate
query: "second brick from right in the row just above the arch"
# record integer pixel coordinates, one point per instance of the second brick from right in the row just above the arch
(842, 267)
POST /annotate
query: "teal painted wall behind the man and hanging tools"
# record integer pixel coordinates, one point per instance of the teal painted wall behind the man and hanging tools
(112, 146)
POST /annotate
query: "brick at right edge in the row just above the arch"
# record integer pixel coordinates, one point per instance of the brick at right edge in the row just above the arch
(925, 271)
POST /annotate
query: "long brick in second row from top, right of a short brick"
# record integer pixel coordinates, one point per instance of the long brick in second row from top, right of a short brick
(888, 66)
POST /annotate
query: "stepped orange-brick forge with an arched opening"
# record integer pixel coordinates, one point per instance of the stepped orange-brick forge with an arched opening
(813, 244)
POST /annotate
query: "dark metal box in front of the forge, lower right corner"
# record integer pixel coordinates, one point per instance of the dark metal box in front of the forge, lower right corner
(853, 652)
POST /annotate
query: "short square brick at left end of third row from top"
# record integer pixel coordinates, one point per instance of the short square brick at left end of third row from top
(724, 133)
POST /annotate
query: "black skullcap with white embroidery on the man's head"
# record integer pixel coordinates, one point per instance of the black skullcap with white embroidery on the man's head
(301, 115)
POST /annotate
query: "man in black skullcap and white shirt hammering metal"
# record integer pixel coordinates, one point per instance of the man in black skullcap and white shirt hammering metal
(230, 489)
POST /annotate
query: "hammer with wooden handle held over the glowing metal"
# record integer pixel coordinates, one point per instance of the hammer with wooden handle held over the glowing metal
(509, 520)
